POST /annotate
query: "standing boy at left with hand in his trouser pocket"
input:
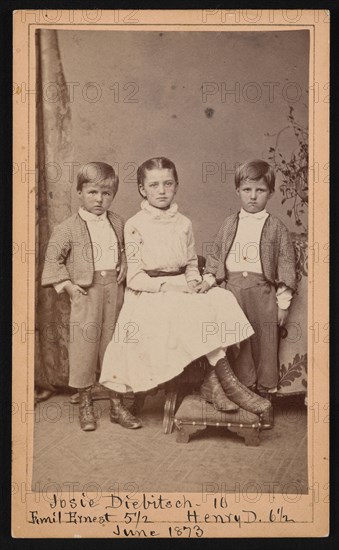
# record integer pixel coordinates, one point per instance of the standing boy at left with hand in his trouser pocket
(86, 258)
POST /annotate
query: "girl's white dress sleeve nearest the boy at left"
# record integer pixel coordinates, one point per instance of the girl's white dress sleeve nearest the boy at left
(137, 278)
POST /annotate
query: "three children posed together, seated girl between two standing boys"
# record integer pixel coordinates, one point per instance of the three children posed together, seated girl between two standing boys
(167, 304)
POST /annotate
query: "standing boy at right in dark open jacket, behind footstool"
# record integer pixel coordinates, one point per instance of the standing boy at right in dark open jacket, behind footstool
(254, 255)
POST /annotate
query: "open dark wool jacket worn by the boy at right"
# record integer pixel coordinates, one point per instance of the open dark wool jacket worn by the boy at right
(276, 252)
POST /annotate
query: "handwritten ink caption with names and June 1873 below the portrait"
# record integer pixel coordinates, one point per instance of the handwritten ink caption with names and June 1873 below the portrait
(141, 515)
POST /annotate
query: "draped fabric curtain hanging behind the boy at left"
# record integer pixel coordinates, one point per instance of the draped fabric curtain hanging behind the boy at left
(54, 155)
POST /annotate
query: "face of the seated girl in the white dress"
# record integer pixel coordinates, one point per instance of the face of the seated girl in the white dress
(159, 187)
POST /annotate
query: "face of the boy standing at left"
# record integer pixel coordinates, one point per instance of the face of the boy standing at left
(97, 197)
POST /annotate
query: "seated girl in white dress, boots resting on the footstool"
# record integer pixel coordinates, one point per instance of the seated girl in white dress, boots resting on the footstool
(166, 322)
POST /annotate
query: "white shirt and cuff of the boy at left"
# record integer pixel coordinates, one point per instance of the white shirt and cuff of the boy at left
(104, 243)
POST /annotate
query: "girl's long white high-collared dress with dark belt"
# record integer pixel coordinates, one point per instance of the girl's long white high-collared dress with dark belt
(159, 333)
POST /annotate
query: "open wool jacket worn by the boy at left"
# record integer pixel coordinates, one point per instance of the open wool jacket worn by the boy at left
(69, 254)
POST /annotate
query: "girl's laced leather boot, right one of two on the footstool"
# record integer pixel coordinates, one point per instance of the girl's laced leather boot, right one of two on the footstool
(242, 396)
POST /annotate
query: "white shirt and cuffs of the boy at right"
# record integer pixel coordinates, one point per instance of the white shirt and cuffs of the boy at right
(244, 254)
